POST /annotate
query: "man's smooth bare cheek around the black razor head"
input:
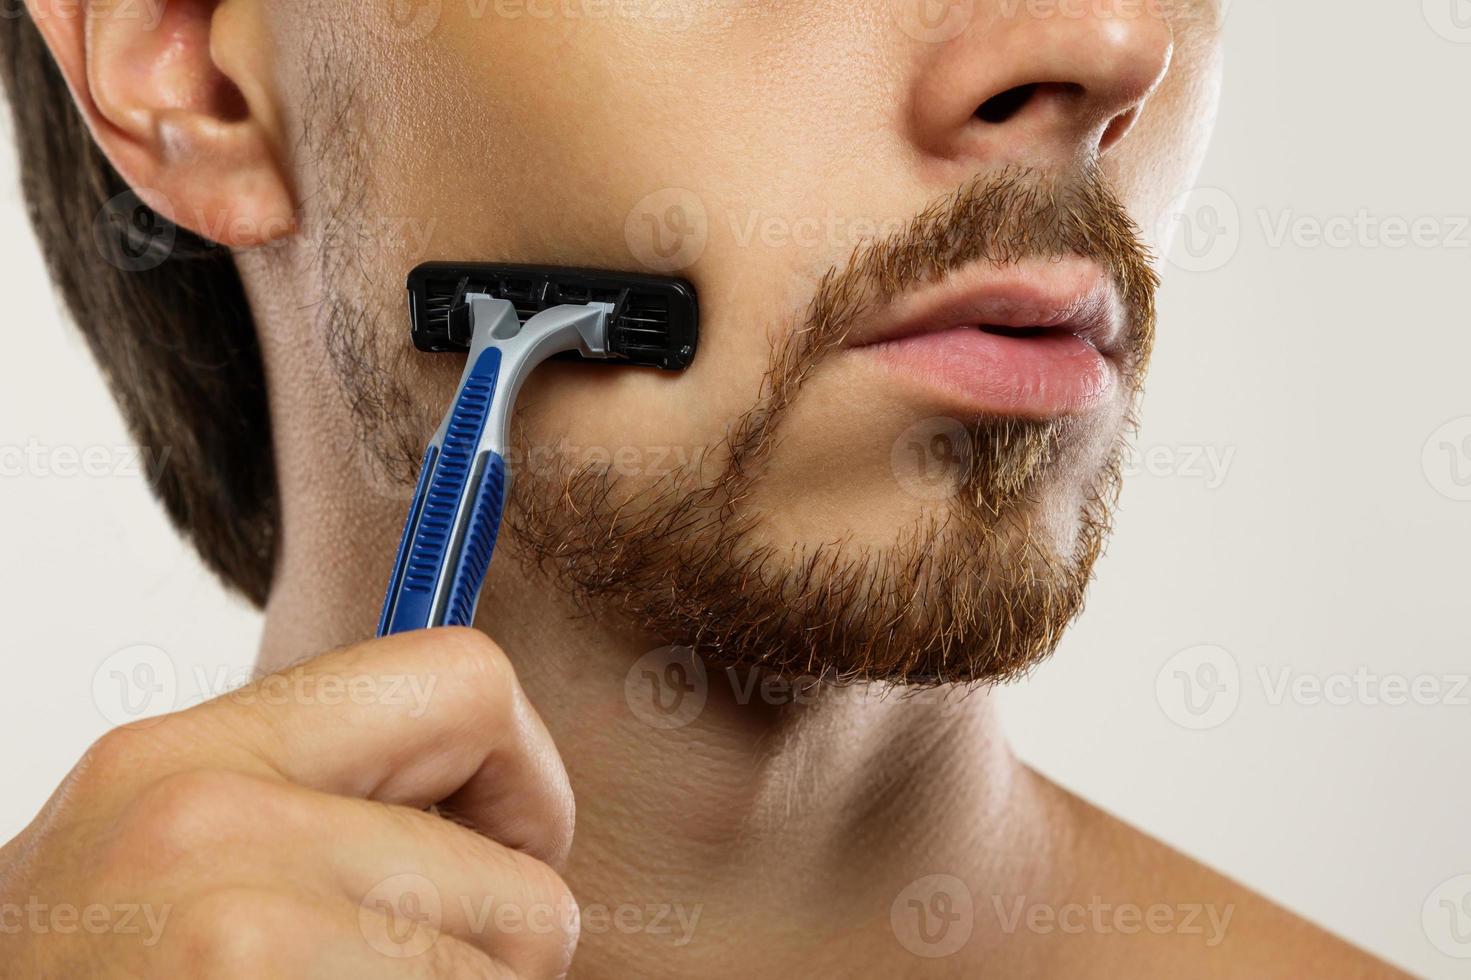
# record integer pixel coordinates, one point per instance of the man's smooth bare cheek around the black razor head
(686, 167)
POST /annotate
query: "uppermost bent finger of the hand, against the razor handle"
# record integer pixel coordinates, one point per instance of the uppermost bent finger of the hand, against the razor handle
(413, 720)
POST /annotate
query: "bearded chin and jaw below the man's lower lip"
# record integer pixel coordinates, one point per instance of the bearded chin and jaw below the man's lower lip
(975, 586)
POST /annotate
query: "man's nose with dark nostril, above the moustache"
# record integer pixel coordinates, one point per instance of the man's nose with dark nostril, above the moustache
(1042, 85)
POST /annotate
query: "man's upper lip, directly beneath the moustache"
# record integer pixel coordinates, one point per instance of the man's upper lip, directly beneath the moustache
(1070, 295)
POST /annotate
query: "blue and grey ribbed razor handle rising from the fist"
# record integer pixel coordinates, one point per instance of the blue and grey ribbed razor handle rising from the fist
(455, 517)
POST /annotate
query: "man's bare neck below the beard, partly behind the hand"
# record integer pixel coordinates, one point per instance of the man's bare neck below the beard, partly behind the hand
(769, 810)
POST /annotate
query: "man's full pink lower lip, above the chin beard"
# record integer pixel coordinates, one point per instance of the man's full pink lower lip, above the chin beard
(989, 374)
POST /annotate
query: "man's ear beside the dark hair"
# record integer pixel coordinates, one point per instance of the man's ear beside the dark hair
(179, 96)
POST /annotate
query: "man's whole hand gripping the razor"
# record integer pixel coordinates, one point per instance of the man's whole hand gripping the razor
(282, 832)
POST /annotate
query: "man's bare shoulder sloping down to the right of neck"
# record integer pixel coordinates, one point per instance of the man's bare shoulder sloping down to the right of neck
(1130, 906)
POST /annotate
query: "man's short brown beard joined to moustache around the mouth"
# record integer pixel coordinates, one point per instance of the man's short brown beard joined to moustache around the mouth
(970, 595)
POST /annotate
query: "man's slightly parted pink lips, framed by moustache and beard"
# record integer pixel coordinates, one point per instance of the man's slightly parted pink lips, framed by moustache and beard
(1039, 339)
